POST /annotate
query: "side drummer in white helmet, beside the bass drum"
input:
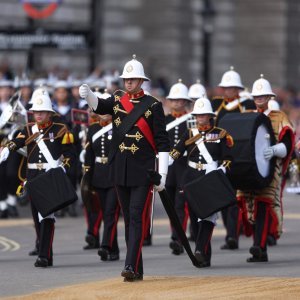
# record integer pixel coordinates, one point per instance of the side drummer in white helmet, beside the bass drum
(205, 143)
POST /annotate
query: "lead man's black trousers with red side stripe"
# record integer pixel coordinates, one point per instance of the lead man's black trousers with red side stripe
(135, 203)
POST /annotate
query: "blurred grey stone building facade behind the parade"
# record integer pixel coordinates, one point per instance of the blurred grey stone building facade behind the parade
(166, 35)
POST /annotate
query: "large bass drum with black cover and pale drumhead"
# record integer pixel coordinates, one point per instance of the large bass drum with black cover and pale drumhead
(251, 133)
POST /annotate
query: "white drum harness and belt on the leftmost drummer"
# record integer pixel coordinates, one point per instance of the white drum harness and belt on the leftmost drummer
(51, 163)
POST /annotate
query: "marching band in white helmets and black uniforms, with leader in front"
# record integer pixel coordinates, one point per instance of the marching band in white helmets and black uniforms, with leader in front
(85, 121)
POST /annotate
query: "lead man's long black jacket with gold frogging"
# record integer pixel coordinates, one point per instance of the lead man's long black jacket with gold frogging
(135, 155)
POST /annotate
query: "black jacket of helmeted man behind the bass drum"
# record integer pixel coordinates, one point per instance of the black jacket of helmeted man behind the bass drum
(219, 105)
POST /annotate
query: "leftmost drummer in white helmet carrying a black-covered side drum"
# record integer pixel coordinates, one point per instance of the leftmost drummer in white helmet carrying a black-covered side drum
(46, 143)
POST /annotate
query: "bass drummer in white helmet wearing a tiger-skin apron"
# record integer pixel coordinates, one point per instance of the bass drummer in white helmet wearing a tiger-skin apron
(263, 207)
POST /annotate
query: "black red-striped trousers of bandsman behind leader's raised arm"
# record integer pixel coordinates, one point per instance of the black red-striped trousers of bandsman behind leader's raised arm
(111, 211)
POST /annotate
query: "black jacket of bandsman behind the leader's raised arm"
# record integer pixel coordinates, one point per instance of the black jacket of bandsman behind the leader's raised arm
(98, 149)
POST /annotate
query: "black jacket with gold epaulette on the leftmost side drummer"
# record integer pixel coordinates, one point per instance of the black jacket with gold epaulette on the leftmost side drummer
(57, 138)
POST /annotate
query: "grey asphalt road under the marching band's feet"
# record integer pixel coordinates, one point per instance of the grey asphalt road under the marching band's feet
(74, 265)
